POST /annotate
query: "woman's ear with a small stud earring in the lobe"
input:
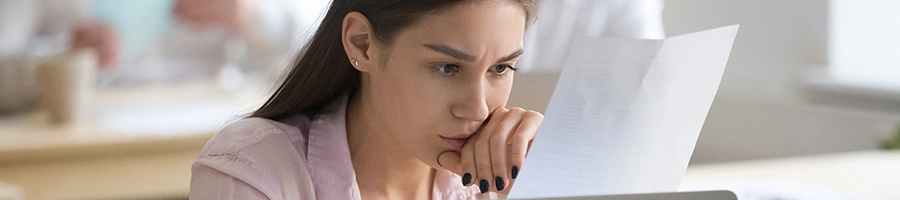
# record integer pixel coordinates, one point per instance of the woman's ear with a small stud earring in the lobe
(357, 36)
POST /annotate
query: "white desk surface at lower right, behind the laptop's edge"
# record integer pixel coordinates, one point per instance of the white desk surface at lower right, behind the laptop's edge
(867, 175)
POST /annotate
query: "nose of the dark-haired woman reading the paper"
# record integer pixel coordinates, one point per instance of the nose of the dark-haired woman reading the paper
(472, 103)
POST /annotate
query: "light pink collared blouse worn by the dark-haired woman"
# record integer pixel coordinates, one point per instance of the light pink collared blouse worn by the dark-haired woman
(296, 158)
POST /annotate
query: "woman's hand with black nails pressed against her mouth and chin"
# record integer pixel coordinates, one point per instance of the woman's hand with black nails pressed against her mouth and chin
(492, 157)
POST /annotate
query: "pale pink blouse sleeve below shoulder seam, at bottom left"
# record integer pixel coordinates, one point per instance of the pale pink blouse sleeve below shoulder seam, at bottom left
(209, 183)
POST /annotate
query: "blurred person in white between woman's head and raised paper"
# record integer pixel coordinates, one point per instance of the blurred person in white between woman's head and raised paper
(562, 22)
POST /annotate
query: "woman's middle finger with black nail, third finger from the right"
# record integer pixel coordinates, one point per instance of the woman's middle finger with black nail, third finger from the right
(483, 153)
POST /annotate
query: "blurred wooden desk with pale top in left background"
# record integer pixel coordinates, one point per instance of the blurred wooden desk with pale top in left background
(27, 137)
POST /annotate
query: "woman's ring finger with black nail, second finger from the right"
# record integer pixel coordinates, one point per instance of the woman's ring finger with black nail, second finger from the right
(499, 147)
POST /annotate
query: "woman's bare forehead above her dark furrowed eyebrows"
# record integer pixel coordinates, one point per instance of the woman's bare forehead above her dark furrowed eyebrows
(479, 27)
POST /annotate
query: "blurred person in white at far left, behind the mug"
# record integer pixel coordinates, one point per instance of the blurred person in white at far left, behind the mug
(31, 29)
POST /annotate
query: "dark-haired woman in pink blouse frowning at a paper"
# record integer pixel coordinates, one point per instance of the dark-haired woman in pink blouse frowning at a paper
(390, 99)
